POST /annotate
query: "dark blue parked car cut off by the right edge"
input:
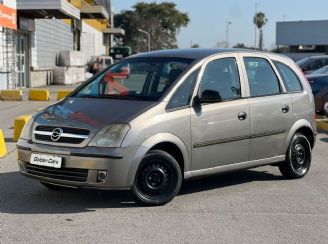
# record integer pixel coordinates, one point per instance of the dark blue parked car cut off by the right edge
(319, 85)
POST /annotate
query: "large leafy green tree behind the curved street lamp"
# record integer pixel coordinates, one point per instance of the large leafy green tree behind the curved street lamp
(162, 21)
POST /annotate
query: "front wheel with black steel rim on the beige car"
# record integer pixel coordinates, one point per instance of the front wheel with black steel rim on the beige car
(158, 179)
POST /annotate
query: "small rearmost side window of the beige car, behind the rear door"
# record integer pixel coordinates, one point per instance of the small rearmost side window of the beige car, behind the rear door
(290, 79)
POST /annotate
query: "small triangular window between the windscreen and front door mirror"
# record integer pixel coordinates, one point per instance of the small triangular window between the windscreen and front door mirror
(182, 95)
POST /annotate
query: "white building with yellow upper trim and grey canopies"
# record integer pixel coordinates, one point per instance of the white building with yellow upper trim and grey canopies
(29, 50)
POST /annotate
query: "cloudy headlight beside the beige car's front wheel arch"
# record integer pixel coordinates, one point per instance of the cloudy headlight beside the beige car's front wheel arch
(110, 136)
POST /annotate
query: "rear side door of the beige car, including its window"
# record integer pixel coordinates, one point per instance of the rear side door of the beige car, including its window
(270, 108)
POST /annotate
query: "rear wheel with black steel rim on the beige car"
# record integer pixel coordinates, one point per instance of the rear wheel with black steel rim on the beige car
(298, 158)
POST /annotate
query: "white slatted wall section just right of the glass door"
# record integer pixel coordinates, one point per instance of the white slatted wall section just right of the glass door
(50, 37)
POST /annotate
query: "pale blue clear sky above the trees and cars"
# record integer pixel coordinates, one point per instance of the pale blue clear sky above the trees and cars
(208, 18)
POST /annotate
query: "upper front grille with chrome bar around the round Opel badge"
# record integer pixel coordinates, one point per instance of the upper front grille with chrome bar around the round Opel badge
(69, 135)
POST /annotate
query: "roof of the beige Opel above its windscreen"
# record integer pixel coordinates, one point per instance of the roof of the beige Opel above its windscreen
(189, 53)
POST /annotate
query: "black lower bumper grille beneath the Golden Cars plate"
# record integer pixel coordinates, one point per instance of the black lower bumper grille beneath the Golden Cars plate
(69, 174)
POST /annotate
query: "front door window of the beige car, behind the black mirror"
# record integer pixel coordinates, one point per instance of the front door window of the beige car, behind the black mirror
(220, 81)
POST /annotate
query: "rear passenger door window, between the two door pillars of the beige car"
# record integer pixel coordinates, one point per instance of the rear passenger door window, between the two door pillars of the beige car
(261, 77)
